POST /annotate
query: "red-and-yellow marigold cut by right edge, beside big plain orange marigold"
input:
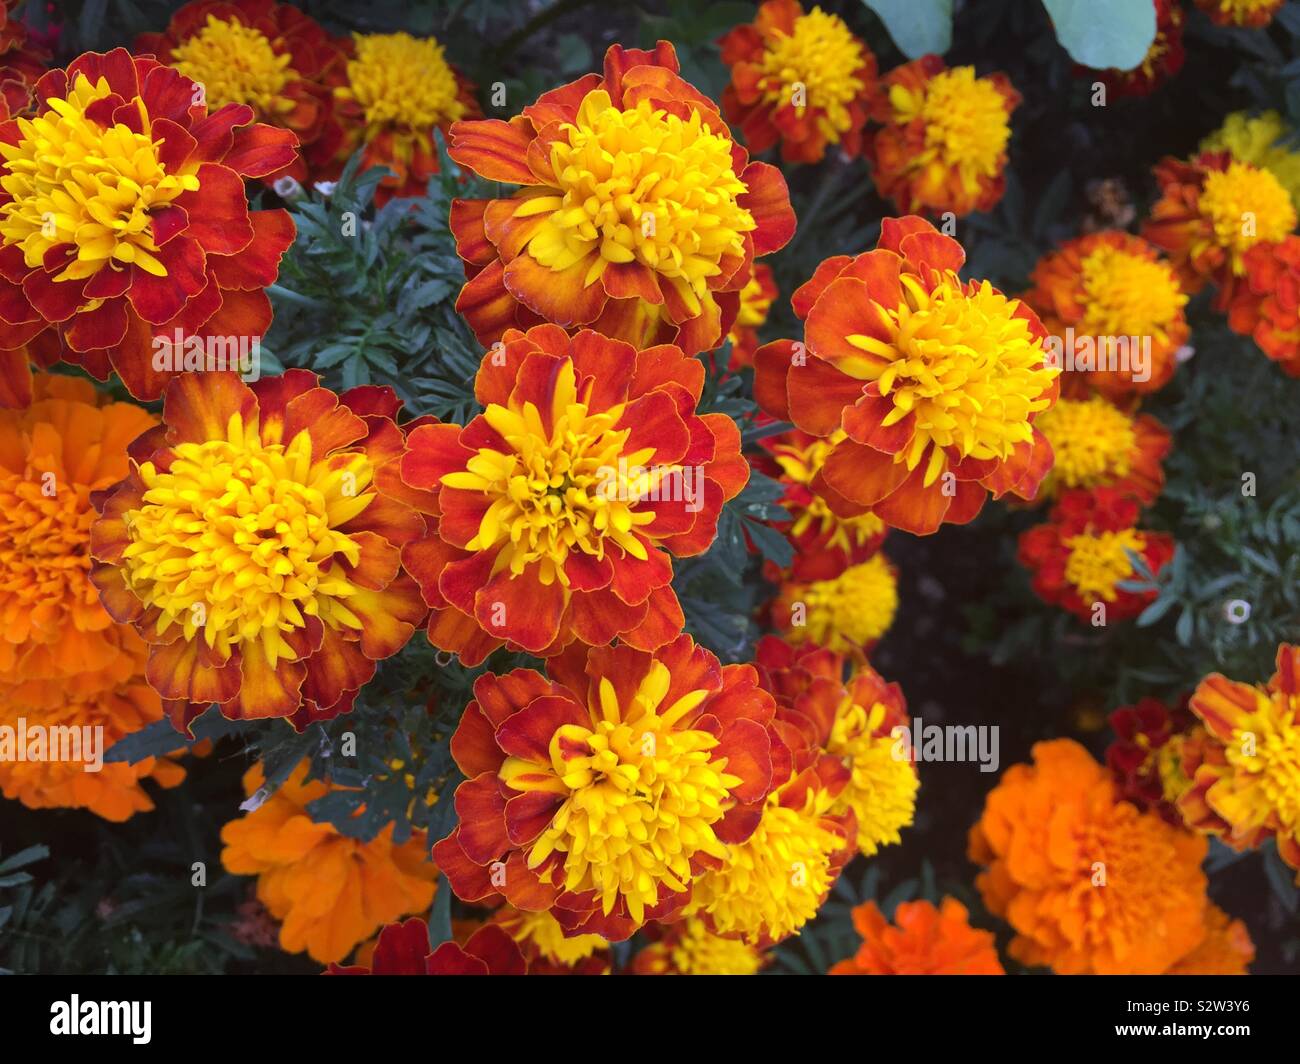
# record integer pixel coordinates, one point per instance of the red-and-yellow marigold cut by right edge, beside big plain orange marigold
(1246, 775)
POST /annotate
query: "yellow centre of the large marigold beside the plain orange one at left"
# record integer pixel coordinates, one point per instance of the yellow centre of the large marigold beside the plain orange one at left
(240, 539)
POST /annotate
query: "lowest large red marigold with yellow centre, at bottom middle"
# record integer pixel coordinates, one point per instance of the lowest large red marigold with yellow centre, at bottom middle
(601, 793)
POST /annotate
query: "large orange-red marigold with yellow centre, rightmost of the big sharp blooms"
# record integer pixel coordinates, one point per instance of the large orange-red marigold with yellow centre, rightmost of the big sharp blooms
(934, 382)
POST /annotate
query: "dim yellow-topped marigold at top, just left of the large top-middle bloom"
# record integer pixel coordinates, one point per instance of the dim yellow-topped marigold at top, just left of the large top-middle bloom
(396, 92)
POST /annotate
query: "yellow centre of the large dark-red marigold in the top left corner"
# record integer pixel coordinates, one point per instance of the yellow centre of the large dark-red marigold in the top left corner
(73, 181)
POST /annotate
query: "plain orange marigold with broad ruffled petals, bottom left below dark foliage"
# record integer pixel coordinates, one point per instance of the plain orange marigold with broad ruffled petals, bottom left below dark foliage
(331, 892)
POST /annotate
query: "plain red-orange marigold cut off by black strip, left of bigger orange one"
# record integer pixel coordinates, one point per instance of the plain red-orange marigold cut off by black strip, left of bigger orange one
(924, 941)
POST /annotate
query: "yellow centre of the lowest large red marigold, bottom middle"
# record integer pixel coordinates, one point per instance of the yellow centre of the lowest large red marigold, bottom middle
(640, 795)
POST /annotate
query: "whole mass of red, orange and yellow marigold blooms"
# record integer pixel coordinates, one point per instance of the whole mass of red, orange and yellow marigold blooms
(262, 547)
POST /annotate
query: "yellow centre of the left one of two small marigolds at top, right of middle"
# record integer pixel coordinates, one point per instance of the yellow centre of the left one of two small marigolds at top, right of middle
(816, 67)
